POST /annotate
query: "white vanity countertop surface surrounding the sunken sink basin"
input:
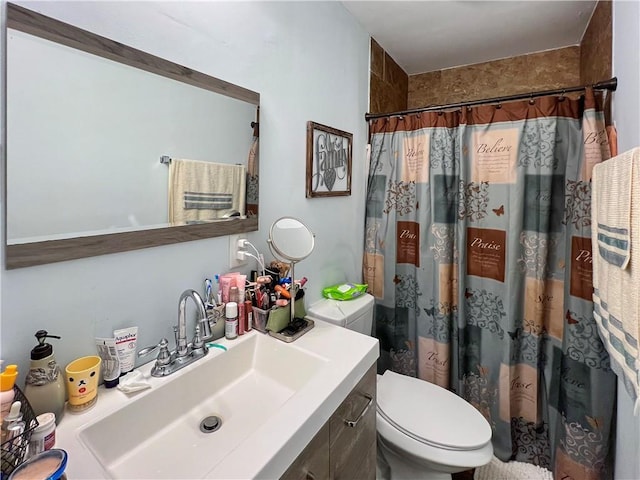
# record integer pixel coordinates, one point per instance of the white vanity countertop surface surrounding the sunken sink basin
(269, 451)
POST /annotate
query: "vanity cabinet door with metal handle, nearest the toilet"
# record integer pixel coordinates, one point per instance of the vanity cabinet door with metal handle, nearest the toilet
(353, 432)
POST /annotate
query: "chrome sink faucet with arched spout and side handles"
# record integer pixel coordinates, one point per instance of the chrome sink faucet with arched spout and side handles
(185, 353)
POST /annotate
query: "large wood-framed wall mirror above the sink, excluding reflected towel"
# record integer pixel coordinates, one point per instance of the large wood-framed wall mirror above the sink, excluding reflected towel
(116, 111)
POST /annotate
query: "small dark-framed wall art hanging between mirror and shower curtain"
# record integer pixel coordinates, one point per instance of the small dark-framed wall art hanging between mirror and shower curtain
(329, 157)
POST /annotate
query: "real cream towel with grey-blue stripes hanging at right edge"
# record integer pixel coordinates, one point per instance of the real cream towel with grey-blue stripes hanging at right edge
(616, 283)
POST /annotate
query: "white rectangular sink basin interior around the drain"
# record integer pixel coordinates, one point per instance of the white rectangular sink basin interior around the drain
(241, 386)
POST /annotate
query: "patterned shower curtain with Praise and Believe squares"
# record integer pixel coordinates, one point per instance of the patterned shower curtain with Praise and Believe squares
(478, 251)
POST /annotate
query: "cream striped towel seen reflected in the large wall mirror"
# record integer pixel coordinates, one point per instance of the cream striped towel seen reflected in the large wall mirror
(204, 191)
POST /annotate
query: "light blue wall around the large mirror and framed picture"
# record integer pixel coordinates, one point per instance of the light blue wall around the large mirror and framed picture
(309, 61)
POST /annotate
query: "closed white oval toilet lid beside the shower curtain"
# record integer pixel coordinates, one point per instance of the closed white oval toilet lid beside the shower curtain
(430, 414)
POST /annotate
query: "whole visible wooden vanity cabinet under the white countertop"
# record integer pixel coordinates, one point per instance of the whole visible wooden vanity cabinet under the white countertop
(340, 451)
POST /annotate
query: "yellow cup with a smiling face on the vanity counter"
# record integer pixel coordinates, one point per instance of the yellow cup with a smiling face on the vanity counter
(82, 382)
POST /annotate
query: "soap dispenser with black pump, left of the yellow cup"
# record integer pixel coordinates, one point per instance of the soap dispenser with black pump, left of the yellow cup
(44, 385)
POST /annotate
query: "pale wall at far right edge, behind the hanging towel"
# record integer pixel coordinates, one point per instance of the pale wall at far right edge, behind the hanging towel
(626, 115)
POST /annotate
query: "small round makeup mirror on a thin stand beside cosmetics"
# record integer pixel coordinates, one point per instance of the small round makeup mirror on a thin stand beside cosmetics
(291, 240)
